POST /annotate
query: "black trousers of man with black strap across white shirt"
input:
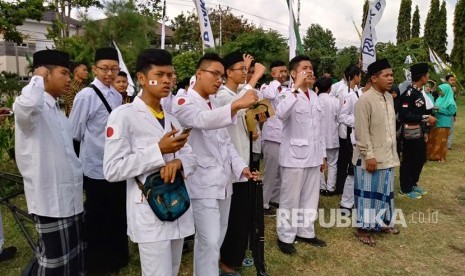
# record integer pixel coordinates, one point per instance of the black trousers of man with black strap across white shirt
(105, 226)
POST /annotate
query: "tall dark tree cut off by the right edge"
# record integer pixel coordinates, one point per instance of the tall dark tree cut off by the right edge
(457, 56)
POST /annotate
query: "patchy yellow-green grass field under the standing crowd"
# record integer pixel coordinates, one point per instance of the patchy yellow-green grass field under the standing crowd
(433, 243)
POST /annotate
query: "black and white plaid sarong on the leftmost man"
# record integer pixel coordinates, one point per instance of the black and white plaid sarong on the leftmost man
(60, 250)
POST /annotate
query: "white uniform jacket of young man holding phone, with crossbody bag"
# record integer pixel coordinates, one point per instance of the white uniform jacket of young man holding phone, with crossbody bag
(131, 150)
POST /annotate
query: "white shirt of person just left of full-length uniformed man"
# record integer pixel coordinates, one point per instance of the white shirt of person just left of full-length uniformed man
(273, 127)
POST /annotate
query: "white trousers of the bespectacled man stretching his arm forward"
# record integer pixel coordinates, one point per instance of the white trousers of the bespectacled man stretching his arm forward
(211, 222)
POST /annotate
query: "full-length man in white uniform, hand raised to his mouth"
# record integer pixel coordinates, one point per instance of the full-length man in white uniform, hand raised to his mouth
(301, 158)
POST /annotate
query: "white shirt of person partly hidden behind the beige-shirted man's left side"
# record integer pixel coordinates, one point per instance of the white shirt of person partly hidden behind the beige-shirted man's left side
(347, 114)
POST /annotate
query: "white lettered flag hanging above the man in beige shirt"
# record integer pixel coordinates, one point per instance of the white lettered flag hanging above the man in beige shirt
(369, 39)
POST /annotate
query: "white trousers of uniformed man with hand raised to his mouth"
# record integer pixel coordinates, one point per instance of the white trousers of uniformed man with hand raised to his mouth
(298, 203)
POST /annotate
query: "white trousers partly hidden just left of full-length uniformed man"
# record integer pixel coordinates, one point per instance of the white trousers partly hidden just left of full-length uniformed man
(271, 174)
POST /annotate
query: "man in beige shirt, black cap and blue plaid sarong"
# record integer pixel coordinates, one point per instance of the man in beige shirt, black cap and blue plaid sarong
(376, 155)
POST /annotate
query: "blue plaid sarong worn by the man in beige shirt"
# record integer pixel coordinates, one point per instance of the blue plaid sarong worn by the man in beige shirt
(374, 198)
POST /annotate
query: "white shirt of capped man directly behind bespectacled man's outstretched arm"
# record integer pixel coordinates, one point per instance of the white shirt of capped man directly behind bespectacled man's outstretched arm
(237, 132)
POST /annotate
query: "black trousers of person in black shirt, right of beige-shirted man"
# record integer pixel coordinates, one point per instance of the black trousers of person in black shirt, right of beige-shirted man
(413, 159)
